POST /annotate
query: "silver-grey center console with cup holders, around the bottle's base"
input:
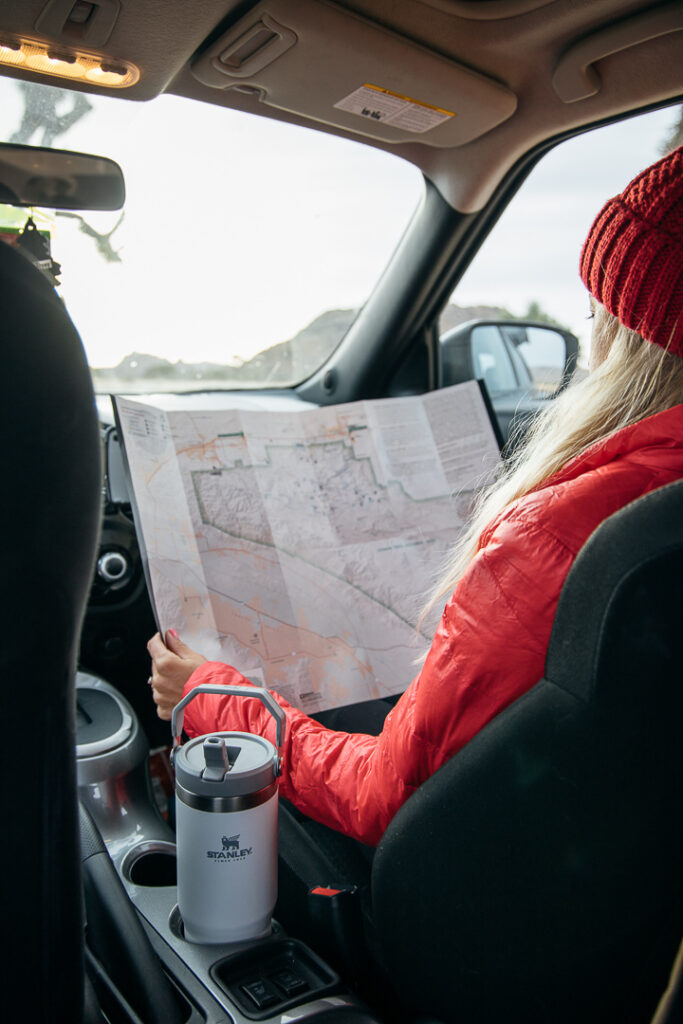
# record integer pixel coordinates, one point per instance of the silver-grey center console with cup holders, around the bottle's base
(277, 978)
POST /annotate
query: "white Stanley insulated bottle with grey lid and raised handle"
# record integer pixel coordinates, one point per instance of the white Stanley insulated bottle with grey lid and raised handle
(227, 826)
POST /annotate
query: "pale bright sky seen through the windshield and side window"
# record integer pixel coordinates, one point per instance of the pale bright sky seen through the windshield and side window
(240, 231)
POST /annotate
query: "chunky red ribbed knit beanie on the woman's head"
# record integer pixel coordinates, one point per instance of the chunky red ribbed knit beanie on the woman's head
(632, 261)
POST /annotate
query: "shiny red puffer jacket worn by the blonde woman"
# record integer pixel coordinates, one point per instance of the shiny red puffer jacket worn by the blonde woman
(489, 650)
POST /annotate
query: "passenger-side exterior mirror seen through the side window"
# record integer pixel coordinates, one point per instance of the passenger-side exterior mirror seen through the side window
(510, 357)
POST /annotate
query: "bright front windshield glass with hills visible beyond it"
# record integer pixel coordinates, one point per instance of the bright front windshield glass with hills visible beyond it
(245, 248)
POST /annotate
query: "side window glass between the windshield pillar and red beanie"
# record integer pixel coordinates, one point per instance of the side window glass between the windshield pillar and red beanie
(529, 266)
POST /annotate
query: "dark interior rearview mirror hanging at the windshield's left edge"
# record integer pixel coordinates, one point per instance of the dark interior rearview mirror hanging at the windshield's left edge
(59, 180)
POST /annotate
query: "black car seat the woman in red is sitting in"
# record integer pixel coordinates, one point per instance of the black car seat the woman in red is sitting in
(537, 876)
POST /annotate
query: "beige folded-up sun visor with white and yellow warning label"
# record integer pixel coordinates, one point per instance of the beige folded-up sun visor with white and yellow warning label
(326, 64)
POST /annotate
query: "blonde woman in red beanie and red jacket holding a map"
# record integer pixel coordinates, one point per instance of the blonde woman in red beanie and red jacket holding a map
(605, 443)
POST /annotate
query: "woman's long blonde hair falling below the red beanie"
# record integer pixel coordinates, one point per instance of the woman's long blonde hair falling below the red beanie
(636, 379)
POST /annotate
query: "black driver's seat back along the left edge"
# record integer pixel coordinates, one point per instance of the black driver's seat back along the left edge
(50, 523)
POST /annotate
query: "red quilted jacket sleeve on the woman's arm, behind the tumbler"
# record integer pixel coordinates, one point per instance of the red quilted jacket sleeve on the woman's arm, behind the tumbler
(489, 649)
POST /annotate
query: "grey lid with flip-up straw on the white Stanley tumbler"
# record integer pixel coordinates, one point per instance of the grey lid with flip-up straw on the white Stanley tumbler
(226, 764)
